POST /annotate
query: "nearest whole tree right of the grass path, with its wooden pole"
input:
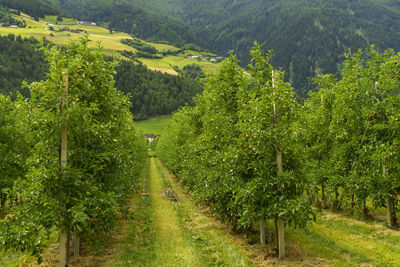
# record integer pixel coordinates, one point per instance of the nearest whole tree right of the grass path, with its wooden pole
(268, 119)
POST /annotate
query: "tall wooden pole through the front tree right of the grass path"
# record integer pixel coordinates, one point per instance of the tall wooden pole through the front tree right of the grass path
(280, 230)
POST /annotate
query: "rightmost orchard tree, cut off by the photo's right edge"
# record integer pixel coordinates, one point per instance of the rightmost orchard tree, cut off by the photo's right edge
(383, 111)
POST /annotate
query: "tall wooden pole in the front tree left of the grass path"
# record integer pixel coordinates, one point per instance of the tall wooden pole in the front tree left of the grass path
(64, 235)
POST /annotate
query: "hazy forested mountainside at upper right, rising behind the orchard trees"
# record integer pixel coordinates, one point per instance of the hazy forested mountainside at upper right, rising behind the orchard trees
(308, 37)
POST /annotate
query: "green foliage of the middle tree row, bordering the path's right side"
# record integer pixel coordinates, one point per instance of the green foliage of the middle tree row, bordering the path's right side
(224, 149)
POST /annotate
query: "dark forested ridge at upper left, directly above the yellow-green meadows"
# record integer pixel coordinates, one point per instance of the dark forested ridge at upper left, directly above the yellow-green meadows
(123, 16)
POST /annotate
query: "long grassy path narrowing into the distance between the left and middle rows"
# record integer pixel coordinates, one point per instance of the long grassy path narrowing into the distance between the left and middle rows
(168, 230)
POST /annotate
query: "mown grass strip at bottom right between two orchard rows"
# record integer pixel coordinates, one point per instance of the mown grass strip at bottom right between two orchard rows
(349, 242)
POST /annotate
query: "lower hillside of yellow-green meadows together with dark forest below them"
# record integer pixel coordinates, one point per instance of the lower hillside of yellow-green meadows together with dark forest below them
(148, 72)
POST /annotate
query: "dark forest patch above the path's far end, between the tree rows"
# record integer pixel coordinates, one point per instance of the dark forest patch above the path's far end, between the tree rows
(153, 92)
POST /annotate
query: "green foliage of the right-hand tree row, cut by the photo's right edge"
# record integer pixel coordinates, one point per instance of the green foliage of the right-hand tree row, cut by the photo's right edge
(352, 131)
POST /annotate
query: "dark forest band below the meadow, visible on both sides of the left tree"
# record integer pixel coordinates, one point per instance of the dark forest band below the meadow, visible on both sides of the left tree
(152, 93)
